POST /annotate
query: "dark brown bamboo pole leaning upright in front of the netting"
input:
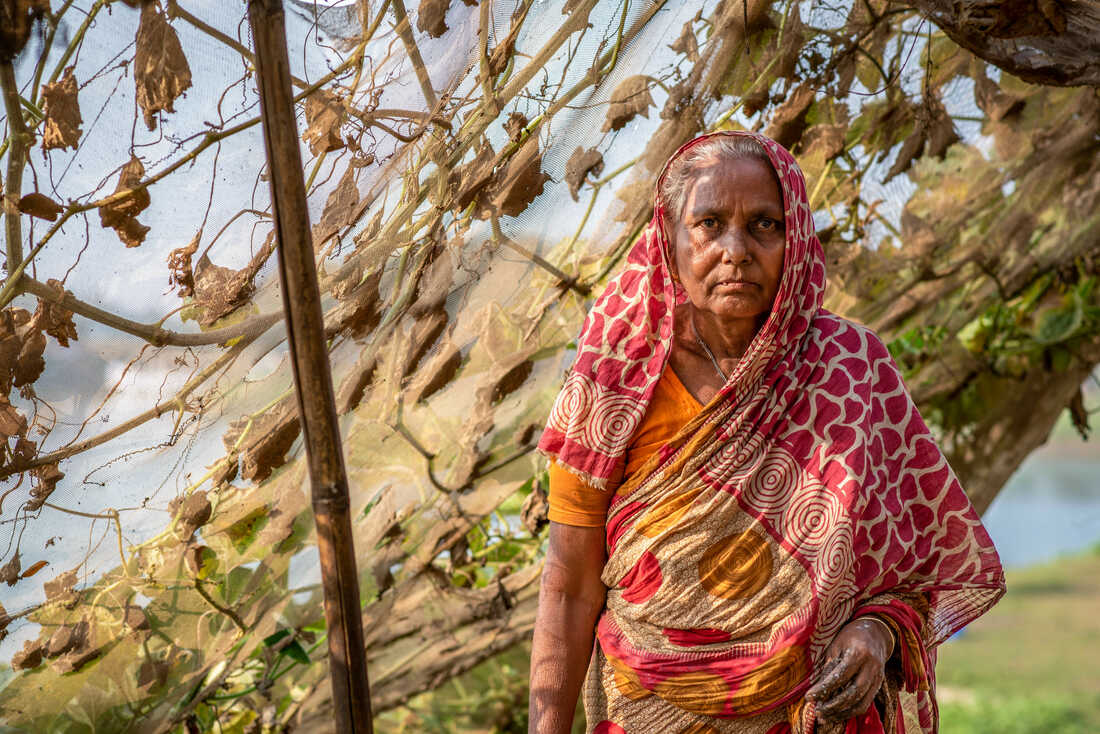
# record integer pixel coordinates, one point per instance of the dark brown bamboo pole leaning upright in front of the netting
(302, 304)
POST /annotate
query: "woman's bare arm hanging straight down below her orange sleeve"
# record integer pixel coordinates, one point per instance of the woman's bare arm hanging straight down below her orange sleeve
(570, 601)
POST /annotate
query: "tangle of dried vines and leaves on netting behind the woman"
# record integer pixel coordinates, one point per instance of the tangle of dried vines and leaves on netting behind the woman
(466, 211)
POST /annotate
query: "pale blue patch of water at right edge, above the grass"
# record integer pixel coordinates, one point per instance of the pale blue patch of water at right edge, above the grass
(1050, 508)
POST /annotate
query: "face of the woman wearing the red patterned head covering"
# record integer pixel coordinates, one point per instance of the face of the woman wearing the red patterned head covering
(730, 240)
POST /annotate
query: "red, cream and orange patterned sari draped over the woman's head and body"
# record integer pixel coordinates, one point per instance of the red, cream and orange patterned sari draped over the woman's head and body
(808, 492)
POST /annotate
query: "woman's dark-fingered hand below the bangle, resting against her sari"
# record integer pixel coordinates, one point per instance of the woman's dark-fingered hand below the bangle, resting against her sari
(853, 672)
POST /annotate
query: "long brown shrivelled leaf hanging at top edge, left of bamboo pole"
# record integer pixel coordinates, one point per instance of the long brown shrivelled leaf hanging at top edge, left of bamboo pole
(161, 70)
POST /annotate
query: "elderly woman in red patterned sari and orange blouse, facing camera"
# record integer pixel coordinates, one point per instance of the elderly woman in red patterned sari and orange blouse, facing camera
(752, 528)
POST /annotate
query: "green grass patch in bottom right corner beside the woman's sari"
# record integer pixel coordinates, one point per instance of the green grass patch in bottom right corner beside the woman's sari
(1031, 665)
